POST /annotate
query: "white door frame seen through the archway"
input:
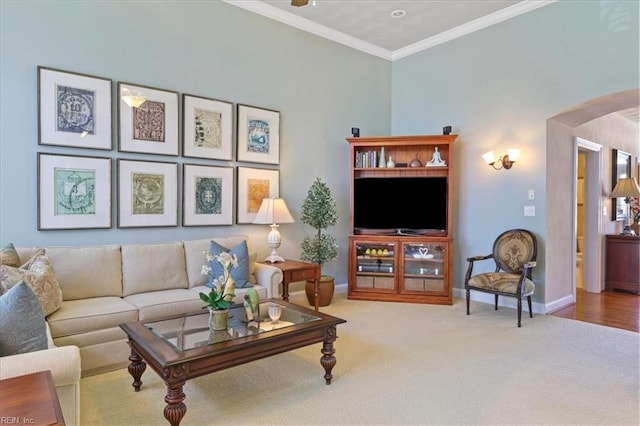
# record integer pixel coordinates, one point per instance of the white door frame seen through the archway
(592, 264)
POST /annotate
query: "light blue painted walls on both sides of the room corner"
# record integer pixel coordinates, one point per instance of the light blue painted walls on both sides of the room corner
(496, 87)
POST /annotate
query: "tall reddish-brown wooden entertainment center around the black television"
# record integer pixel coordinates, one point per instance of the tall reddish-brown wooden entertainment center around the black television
(402, 265)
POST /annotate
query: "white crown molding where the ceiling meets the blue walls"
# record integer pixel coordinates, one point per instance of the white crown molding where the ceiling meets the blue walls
(304, 24)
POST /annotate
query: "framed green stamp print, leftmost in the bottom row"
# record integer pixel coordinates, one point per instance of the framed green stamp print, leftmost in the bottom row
(74, 192)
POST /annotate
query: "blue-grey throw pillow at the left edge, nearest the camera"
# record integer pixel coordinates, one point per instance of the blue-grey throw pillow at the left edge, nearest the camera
(22, 325)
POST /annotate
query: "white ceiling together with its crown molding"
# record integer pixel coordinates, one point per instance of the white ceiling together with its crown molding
(367, 25)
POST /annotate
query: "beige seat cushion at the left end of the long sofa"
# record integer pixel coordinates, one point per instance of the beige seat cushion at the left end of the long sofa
(86, 315)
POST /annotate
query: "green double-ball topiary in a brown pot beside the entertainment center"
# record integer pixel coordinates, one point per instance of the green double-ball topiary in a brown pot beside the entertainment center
(319, 211)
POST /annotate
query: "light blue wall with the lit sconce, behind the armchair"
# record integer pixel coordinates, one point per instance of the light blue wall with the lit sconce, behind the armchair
(496, 88)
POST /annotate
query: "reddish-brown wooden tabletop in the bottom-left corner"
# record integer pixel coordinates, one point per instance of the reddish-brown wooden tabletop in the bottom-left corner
(30, 399)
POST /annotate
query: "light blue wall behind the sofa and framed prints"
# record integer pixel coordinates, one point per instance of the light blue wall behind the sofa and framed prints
(210, 49)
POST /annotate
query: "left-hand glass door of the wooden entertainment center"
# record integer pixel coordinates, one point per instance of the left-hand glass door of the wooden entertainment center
(375, 266)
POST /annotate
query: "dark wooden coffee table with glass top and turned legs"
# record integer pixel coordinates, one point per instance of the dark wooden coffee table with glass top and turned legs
(182, 348)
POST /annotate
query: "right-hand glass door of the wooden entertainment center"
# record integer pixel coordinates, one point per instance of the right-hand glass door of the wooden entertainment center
(424, 267)
